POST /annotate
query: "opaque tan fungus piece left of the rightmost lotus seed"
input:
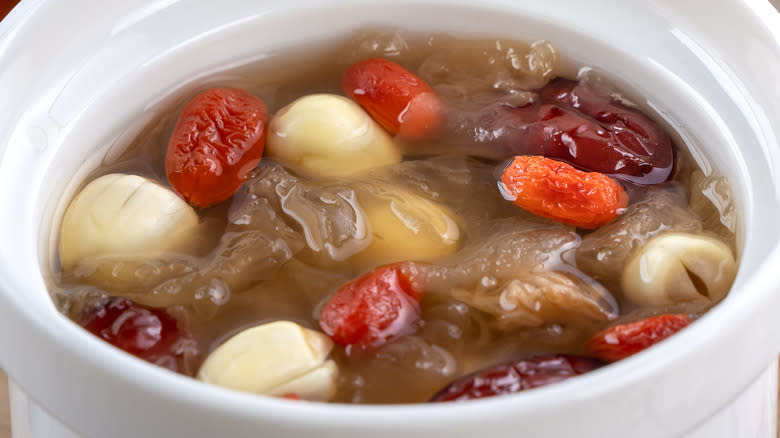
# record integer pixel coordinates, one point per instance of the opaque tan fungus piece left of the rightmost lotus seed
(532, 299)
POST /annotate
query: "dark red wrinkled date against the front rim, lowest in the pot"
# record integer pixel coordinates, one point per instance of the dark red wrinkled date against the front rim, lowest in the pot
(516, 376)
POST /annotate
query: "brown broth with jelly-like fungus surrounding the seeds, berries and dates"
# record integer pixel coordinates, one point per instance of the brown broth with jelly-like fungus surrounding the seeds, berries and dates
(285, 242)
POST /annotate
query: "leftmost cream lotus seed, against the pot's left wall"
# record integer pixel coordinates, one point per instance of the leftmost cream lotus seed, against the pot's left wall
(124, 216)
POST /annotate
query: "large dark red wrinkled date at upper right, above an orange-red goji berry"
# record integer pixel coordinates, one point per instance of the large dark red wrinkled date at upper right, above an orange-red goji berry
(573, 122)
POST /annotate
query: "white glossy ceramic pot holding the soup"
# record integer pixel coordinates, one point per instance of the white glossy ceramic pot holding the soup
(79, 77)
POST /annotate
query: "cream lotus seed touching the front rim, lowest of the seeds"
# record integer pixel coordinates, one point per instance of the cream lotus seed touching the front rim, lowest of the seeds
(277, 358)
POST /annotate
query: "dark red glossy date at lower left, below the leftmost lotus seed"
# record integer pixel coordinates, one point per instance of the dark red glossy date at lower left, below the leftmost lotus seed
(150, 334)
